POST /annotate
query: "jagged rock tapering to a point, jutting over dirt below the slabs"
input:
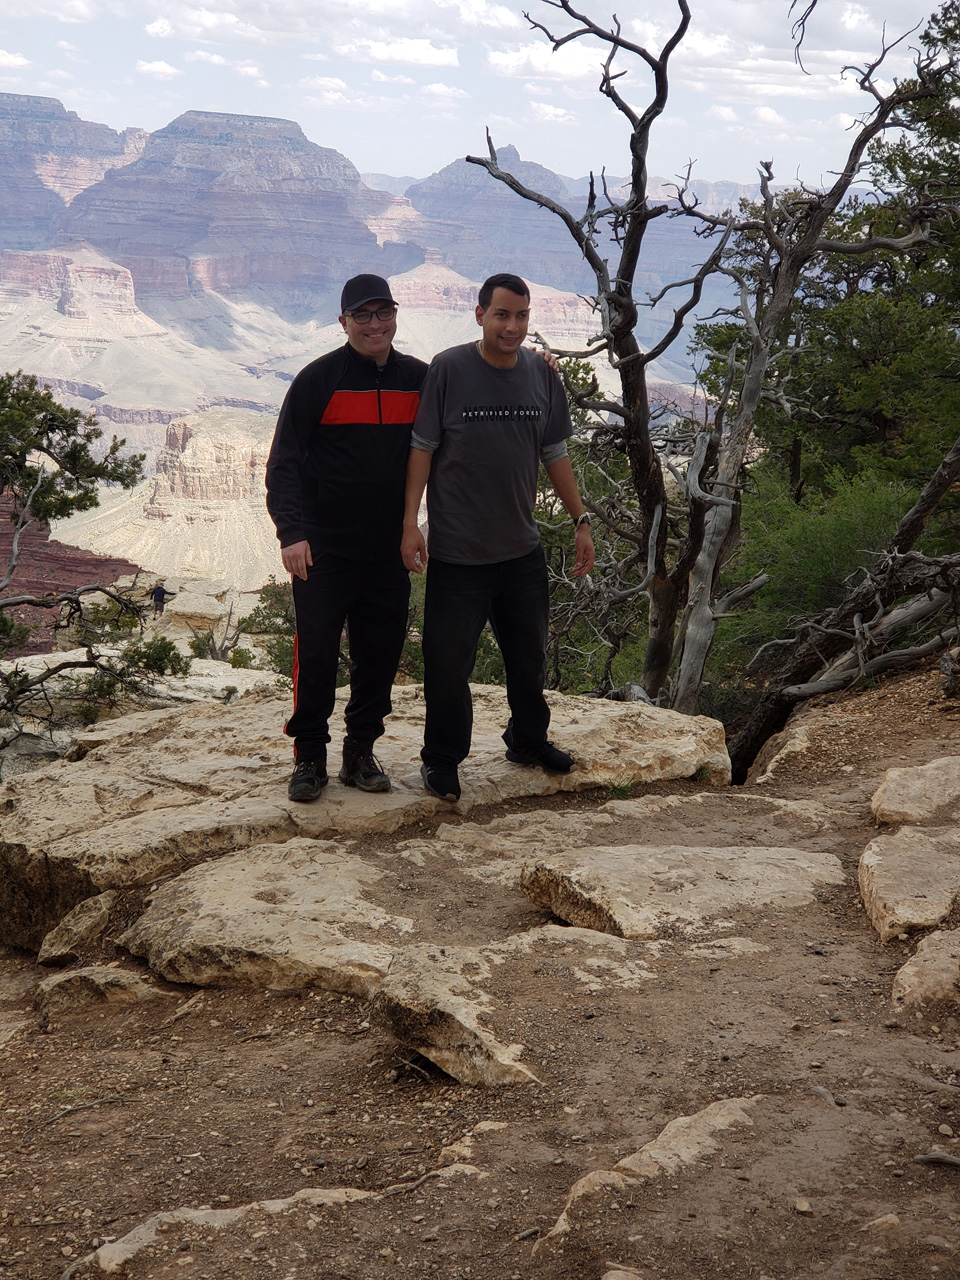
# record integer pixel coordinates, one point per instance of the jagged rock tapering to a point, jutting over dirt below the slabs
(427, 1003)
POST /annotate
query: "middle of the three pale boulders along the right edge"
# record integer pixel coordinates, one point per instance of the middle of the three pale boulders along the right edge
(911, 880)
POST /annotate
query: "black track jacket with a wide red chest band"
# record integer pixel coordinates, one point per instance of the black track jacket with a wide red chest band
(339, 464)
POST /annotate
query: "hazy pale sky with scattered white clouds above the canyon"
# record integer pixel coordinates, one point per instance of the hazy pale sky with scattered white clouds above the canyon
(406, 86)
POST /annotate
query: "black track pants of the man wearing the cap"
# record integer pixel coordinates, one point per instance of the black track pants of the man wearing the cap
(371, 597)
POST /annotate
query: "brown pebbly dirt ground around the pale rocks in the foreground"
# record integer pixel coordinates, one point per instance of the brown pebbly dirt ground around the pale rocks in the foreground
(228, 1098)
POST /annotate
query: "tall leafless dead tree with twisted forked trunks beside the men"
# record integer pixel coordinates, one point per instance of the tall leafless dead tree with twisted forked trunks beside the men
(793, 237)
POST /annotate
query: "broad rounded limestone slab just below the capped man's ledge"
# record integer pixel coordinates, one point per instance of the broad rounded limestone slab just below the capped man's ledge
(269, 917)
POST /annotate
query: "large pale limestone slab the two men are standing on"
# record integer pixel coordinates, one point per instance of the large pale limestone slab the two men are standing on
(147, 796)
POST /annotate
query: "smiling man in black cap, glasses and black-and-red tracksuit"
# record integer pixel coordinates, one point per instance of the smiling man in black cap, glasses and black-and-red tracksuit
(335, 491)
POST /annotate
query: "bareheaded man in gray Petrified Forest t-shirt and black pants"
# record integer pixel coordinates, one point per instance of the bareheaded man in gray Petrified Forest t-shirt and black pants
(491, 413)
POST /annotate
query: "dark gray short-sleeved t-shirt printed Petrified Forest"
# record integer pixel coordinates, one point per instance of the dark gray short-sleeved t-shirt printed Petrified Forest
(488, 431)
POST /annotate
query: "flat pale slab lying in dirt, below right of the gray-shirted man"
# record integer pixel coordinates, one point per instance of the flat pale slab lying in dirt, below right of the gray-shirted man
(638, 892)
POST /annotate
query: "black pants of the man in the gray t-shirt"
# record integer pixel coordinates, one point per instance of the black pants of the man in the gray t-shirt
(460, 600)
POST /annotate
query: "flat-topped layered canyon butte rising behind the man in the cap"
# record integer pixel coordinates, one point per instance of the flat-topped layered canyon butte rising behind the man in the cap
(257, 205)
